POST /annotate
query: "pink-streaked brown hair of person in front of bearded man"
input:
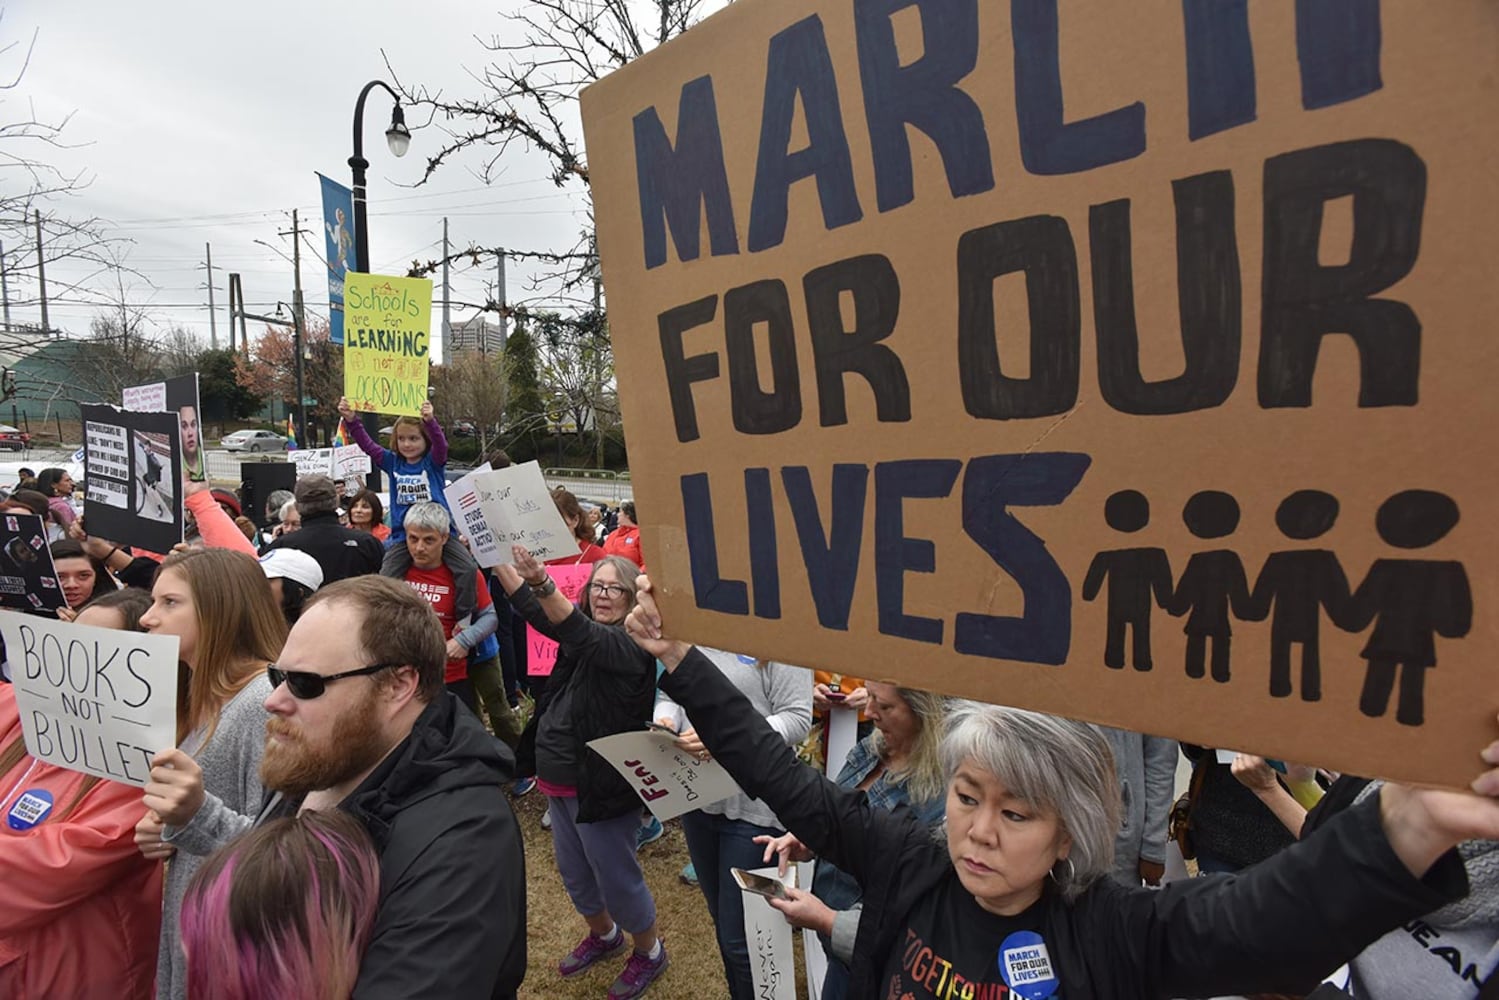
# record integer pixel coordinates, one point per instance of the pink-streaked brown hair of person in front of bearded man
(283, 914)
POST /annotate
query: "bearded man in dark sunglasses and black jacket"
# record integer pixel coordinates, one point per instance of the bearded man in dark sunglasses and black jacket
(362, 722)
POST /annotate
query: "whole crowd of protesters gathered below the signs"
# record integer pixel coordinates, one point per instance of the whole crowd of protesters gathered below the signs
(349, 747)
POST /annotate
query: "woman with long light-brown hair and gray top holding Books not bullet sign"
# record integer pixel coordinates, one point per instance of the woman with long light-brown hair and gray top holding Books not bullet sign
(206, 792)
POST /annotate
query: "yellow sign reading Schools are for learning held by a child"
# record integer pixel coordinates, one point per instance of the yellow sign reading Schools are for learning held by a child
(387, 328)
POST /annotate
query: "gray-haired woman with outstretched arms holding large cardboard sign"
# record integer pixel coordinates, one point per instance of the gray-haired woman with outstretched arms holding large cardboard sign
(1013, 900)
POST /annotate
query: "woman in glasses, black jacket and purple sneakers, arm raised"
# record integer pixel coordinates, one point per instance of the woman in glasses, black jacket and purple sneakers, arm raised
(603, 684)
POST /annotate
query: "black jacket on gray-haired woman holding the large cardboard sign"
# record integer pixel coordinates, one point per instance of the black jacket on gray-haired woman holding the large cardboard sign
(1276, 929)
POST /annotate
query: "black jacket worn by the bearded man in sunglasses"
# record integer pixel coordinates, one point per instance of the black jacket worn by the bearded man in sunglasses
(453, 873)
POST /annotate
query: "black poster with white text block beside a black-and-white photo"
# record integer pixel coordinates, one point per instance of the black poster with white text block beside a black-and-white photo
(134, 478)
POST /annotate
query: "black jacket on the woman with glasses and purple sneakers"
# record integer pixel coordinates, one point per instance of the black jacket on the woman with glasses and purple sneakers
(615, 693)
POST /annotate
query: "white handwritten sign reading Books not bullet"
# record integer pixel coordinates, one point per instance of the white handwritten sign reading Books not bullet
(95, 701)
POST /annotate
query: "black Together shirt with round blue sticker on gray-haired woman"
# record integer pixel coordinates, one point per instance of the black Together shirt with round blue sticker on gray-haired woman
(956, 950)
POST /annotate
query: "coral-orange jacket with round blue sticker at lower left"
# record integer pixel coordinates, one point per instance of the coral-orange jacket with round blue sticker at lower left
(80, 908)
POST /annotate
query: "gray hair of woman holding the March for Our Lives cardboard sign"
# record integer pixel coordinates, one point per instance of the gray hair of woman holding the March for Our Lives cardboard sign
(1056, 765)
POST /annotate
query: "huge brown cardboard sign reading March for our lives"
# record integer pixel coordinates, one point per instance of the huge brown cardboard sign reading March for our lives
(1129, 362)
